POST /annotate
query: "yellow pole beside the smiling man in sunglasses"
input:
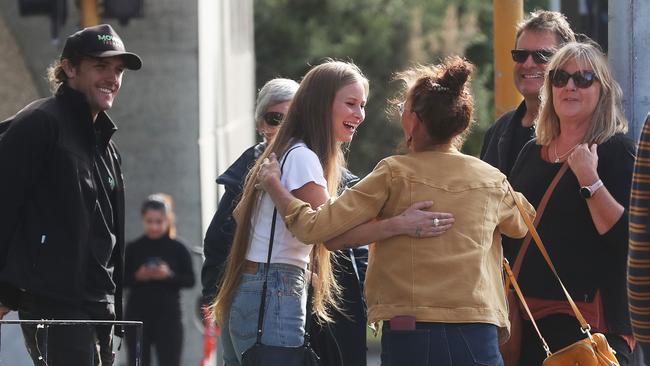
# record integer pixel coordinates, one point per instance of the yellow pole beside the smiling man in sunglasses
(506, 15)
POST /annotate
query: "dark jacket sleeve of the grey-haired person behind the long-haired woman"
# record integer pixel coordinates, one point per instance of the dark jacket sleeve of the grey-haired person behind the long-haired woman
(217, 243)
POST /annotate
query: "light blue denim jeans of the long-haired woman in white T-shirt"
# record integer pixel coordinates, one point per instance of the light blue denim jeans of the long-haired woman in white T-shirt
(284, 318)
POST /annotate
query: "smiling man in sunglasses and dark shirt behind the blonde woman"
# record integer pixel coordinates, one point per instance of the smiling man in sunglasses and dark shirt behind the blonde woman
(538, 37)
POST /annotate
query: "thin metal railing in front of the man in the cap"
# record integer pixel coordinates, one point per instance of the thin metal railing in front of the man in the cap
(45, 324)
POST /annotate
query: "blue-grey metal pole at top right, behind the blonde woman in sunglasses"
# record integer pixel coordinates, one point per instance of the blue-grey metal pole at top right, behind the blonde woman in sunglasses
(629, 34)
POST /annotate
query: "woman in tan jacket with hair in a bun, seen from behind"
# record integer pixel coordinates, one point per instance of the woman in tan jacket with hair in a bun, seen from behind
(441, 298)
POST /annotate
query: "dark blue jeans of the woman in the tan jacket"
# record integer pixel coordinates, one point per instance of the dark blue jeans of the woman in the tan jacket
(441, 344)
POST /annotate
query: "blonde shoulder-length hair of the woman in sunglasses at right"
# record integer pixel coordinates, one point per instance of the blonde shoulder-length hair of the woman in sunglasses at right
(608, 118)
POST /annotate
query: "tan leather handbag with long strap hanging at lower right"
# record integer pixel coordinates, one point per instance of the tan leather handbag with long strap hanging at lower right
(591, 351)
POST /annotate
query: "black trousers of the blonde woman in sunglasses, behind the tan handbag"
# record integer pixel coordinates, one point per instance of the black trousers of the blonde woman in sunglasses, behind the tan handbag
(559, 331)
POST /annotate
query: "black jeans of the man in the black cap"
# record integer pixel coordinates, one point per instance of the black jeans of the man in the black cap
(66, 345)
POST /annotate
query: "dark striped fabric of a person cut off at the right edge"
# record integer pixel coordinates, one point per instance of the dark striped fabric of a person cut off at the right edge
(639, 251)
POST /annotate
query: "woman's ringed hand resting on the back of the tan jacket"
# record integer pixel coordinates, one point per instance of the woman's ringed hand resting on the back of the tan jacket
(422, 224)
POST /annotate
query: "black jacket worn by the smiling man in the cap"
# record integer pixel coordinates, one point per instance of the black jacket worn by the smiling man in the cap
(47, 198)
